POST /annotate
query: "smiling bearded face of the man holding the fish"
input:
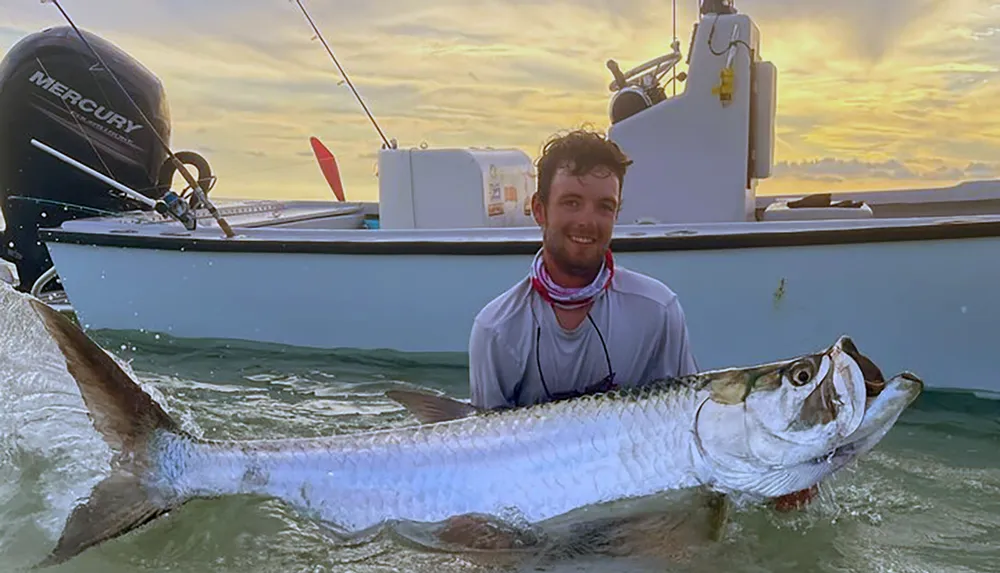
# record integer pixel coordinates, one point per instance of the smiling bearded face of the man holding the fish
(578, 220)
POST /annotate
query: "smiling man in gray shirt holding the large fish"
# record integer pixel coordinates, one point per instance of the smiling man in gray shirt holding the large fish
(578, 323)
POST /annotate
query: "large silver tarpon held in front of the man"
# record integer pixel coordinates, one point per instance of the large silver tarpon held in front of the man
(767, 430)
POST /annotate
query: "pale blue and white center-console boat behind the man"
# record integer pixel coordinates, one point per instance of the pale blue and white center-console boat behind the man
(910, 275)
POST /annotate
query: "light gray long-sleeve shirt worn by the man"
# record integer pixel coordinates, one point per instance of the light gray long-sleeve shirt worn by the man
(640, 318)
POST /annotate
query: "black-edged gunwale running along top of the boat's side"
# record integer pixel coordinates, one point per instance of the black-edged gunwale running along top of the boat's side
(518, 241)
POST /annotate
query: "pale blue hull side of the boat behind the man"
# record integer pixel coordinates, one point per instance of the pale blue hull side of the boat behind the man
(922, 301)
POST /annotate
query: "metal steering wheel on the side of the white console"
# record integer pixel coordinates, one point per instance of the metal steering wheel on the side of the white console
(640, 87)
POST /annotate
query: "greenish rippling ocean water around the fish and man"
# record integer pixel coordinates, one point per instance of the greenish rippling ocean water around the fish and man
(927, 499)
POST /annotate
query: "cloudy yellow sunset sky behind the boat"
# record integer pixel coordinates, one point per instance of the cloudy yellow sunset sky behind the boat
(872, 94)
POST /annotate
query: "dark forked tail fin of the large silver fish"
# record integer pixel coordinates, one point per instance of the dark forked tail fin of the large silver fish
(129, 420)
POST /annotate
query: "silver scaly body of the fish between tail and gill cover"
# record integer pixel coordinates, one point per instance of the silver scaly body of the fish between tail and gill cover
(560, 456)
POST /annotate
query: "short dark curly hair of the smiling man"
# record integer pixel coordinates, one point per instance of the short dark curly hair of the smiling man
(581, 151)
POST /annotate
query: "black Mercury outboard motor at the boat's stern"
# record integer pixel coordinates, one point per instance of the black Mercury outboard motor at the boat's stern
(53, 89)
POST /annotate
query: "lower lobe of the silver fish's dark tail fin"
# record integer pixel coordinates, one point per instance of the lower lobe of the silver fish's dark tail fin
(116, 506)
